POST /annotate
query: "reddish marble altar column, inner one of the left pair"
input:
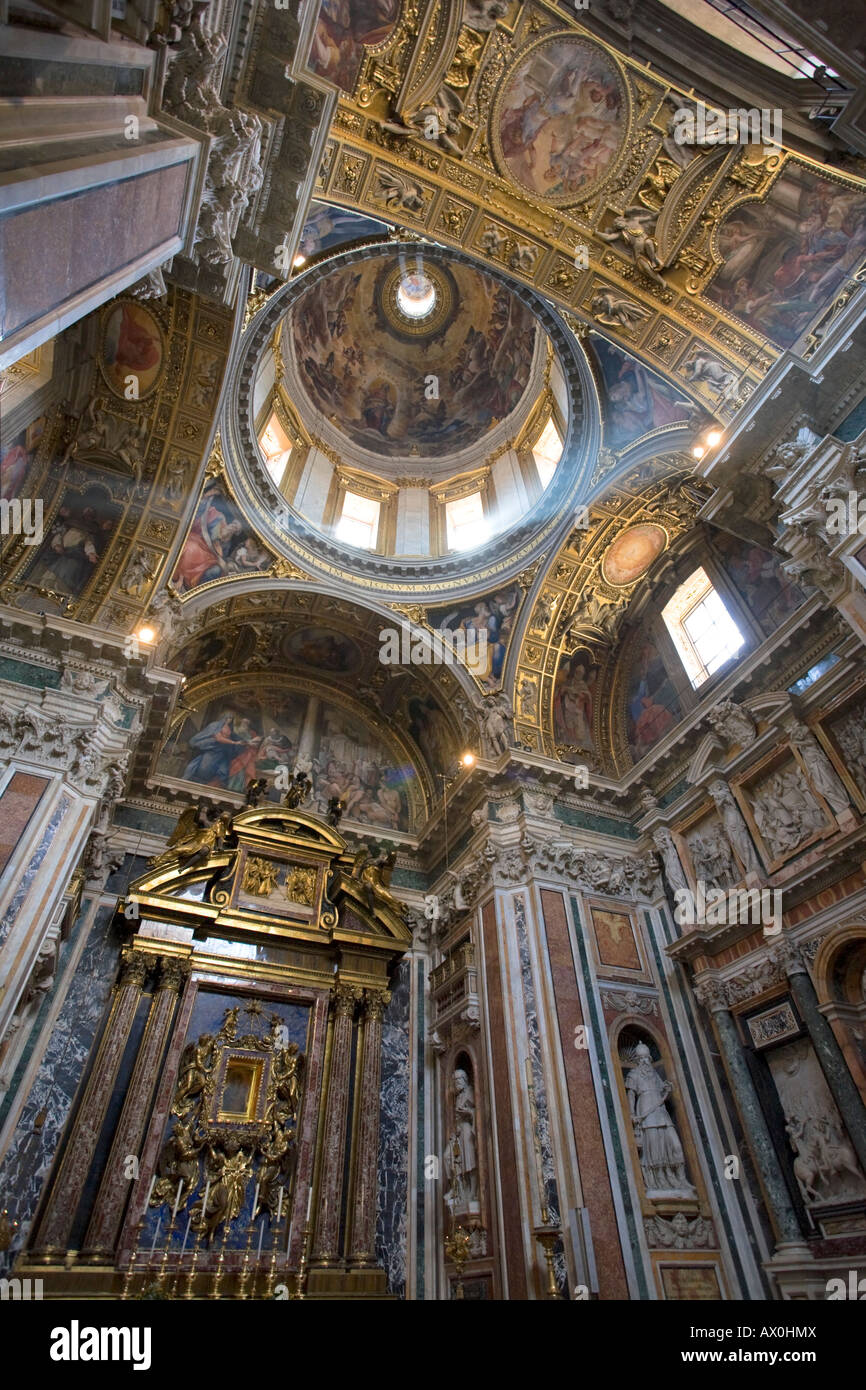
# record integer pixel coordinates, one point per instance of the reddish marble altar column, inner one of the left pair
(109, 1206)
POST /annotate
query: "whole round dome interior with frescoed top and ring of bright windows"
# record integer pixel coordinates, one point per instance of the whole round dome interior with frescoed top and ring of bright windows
(398, 405)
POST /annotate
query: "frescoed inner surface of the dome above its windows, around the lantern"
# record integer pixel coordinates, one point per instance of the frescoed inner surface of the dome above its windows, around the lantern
(366, 365)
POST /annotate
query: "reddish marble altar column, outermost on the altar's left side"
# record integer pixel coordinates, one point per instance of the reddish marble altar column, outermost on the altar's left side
(72, 1177)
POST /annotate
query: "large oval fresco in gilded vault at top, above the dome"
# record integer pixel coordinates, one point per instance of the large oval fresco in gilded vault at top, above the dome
(562, 119)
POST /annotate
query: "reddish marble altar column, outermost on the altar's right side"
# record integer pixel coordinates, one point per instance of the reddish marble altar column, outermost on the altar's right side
(362, 1249)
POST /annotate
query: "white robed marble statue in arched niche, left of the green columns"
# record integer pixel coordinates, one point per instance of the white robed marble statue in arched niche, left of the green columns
(658, 1142)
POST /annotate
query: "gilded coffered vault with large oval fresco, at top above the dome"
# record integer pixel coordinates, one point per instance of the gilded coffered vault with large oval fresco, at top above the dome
(622, 223)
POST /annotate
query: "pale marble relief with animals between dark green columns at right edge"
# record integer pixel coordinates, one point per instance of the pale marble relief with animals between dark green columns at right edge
(825, 1163)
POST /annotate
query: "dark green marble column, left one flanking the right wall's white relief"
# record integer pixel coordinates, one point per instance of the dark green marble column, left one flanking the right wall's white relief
(781, 1207)
